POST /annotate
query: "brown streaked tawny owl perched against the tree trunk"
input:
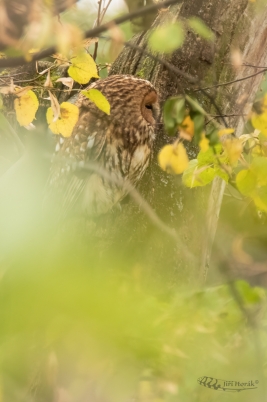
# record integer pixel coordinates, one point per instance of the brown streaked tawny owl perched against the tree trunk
(121, 143)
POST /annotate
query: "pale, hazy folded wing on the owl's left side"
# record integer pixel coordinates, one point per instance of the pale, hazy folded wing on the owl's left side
(67, 180)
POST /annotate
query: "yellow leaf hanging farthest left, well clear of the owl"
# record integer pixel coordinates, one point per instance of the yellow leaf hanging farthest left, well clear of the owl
(26, 107)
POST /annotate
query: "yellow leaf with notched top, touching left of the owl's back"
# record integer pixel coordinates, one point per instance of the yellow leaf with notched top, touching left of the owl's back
(64, 125)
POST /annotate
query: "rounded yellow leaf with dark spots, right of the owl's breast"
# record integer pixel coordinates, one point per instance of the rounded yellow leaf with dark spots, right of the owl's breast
(173, 158)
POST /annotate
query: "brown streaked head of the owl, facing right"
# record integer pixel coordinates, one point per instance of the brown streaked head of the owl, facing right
(133, 101)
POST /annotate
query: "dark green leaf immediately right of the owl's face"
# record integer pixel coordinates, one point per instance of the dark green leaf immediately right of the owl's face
(173, 114)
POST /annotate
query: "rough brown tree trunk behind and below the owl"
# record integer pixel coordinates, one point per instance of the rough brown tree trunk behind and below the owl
(235, 25)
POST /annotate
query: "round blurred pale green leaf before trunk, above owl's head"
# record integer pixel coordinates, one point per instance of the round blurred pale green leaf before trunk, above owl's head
(166, 38)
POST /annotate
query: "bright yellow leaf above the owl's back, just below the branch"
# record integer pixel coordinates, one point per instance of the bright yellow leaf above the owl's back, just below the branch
(83, 68)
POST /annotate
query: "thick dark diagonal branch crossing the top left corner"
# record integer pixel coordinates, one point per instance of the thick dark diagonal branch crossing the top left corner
(19, 61)
